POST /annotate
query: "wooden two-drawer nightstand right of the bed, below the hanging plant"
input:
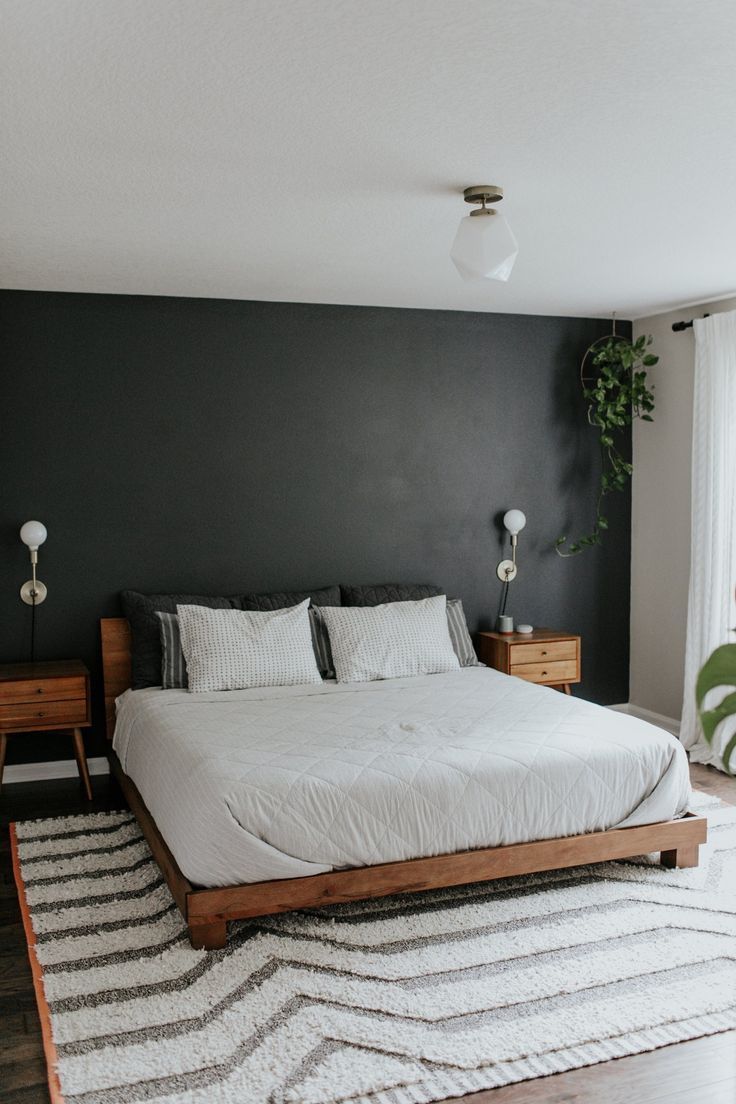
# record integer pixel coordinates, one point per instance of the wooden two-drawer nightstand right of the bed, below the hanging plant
(543, 656)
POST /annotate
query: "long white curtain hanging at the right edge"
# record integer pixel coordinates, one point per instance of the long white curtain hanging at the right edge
(711, 606)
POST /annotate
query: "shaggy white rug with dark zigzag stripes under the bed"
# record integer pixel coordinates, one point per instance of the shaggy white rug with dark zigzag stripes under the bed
(402, 1001)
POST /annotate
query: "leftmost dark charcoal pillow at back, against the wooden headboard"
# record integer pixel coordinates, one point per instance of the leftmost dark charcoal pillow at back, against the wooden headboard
(146, 643)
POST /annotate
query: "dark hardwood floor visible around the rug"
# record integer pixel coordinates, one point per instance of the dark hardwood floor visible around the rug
(703, 1070)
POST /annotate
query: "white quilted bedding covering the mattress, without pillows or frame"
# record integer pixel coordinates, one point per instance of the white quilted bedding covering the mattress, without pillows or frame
(254, 785)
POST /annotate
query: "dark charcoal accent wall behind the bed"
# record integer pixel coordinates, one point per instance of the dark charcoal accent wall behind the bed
(220, 447)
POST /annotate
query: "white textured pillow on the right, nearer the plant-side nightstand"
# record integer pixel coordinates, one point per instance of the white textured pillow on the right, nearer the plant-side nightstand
(394, 641)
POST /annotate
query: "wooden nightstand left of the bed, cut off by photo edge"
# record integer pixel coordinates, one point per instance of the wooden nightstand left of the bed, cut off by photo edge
(44, 698)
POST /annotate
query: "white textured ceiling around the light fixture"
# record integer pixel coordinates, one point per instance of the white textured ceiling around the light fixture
(316, 151)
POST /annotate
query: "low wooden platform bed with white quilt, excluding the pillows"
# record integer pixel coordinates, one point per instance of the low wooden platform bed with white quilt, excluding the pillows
(265, 801)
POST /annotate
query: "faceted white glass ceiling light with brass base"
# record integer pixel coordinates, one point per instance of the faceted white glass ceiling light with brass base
(485, 247)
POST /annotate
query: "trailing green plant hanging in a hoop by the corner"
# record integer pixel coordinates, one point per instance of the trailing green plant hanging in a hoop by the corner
(614, 379)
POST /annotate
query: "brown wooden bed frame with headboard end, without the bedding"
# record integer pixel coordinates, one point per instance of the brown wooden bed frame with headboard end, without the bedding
(207, 911)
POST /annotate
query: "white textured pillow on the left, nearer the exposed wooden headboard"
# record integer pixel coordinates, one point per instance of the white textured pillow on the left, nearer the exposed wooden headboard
(236, 650)
